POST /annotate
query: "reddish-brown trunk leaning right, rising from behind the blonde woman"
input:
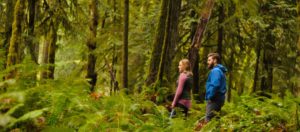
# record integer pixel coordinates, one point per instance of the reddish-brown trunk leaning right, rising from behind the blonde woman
(194, 49)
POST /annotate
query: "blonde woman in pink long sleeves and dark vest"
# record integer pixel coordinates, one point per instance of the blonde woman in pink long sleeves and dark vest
(182, 96)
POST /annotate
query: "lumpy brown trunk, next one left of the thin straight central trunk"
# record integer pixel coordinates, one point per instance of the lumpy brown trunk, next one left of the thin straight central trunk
(91, 44)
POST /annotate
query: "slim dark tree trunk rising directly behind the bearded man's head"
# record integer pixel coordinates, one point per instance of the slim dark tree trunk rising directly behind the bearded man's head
(220, 30)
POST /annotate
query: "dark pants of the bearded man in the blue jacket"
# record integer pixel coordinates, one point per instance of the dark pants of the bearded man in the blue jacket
(212, 108)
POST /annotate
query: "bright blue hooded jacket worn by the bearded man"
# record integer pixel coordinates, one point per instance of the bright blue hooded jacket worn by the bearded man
(216, 84)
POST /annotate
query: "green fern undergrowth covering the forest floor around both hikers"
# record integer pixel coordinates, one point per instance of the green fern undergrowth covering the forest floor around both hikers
(67, 105)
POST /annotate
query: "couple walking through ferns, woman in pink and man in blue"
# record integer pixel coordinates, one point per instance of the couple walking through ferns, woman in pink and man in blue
(215, 87)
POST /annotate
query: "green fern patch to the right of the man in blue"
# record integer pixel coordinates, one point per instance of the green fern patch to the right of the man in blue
(256, 113)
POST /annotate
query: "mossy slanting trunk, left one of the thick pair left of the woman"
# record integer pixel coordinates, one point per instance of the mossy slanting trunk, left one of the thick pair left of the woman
(158, 44)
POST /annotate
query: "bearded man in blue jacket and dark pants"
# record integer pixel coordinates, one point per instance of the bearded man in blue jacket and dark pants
(215, 86)
